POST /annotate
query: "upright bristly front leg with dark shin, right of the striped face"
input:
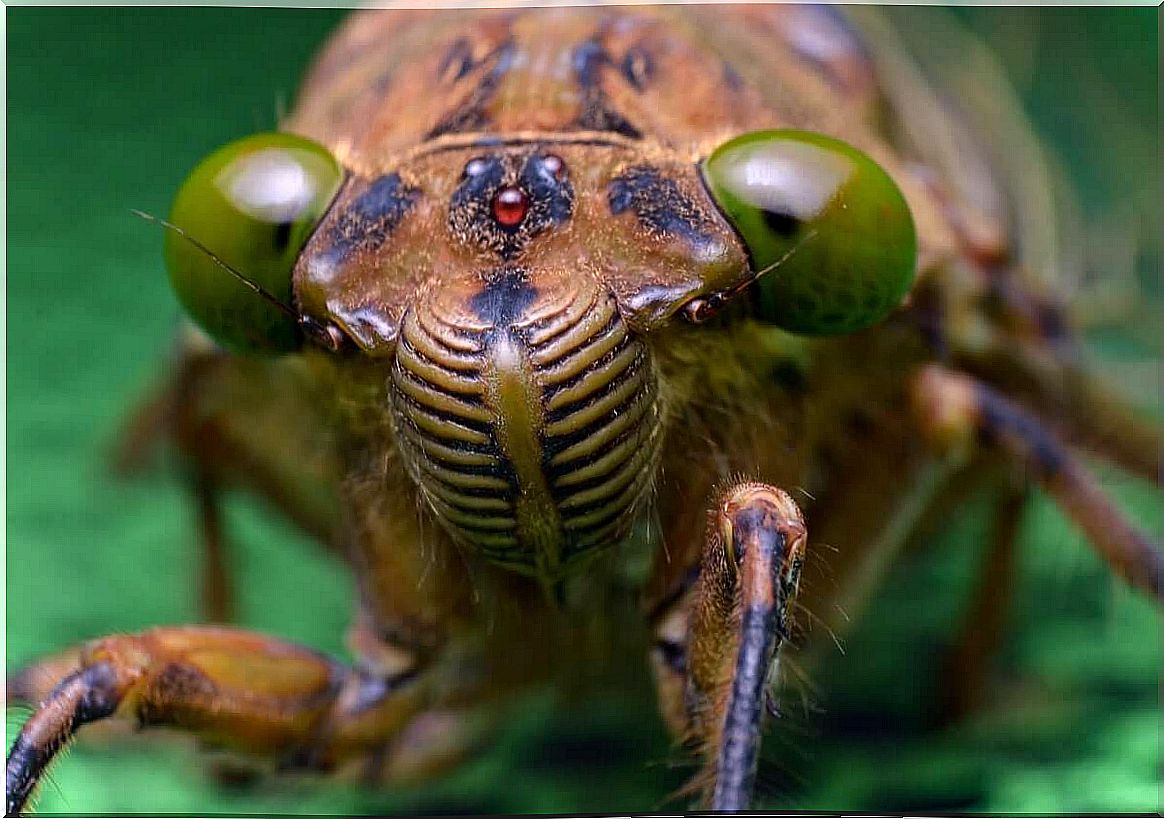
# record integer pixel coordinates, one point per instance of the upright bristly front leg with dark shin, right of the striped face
(739, 614)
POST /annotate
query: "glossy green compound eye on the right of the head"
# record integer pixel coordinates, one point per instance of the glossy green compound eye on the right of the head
(825, 223)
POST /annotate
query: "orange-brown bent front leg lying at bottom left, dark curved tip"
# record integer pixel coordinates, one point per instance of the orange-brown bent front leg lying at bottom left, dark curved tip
(250, 694)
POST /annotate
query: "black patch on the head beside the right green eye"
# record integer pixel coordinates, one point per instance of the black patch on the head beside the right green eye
(661, 205)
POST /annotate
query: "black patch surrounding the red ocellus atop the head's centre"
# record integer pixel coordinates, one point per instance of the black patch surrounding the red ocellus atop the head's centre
(471, 217)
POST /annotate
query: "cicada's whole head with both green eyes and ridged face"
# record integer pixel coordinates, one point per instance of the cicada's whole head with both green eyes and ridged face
(510, 290)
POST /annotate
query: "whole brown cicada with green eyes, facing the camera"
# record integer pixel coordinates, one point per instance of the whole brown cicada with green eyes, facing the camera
(579, 336)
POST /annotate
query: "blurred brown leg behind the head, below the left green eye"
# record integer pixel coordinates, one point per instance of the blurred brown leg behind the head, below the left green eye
(233, 423)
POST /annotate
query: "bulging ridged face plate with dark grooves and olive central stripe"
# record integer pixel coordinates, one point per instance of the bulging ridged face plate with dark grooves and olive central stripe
(528, 416)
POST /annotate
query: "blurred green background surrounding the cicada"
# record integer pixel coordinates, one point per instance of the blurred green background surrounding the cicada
(108, 111)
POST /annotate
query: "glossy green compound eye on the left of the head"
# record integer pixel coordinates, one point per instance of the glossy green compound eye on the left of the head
(253, 203)
